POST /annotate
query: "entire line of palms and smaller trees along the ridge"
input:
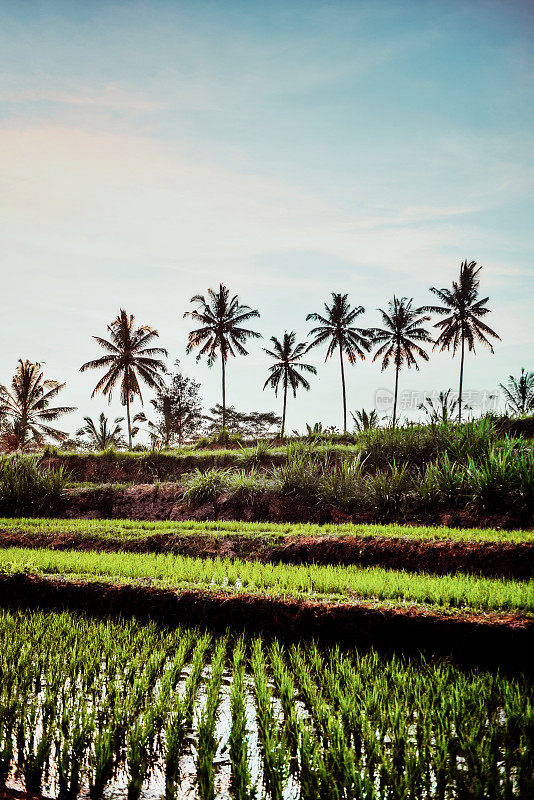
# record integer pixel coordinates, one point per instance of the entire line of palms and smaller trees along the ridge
(132, 357)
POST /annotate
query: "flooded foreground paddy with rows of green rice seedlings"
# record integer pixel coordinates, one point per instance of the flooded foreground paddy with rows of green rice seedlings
(124, 707)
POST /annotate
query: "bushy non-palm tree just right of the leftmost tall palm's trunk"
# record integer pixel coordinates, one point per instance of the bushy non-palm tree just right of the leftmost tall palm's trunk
(179, 411)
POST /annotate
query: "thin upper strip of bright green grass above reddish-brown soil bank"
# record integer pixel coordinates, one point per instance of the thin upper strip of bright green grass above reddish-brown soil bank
(133, 529)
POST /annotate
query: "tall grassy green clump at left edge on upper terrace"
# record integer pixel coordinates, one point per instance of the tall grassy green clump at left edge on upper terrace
(27, 489)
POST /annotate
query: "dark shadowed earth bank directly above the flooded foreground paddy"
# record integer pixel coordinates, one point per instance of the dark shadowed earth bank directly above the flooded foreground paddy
(486, 639)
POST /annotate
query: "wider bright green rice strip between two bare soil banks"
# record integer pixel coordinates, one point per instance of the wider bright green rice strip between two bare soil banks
(336, 582)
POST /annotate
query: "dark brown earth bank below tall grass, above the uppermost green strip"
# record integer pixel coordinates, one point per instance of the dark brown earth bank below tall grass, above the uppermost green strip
(150, 502)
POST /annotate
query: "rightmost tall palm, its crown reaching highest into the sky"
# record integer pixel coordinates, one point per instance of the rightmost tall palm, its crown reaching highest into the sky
(462, 323)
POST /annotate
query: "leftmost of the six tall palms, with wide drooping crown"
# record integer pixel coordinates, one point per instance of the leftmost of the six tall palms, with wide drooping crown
(128, 359)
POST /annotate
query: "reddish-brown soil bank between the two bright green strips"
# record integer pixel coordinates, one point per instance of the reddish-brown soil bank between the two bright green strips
(438, 557)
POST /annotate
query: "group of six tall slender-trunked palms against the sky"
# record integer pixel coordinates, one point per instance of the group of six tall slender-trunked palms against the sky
(221, 332)
